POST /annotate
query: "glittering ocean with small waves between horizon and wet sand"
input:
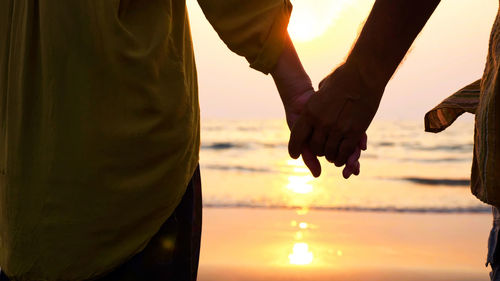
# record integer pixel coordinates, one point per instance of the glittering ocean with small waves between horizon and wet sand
(245, 164)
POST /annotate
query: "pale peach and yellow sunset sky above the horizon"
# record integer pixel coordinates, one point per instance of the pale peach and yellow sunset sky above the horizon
(450, 53)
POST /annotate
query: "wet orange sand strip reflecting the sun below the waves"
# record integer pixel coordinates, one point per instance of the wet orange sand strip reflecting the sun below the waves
(261, 244)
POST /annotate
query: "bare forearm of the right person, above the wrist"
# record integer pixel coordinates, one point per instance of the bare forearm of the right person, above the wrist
(387, 35)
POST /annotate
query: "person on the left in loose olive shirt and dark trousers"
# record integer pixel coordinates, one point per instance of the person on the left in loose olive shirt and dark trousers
(99, 131)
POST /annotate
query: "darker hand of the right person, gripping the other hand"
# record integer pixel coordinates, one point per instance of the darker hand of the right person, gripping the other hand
(334, 122)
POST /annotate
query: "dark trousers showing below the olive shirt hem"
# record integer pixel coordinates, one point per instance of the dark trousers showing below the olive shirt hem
(173, 253)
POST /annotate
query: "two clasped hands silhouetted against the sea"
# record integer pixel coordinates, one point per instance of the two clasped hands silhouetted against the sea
(330, 122)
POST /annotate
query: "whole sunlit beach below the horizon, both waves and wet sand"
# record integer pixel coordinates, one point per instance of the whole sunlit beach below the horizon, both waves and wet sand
(409, 216)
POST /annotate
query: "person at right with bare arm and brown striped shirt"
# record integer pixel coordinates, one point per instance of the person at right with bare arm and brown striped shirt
(336, 118)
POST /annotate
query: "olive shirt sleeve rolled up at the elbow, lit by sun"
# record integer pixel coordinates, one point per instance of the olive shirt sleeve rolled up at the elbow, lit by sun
(254, 29)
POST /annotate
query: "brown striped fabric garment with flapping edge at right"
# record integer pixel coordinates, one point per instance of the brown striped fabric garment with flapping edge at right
(482, 99)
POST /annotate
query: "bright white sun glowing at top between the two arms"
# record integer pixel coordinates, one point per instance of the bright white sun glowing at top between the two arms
(310, 19)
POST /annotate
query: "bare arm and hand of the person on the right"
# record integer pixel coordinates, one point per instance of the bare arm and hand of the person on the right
(336, 119)
